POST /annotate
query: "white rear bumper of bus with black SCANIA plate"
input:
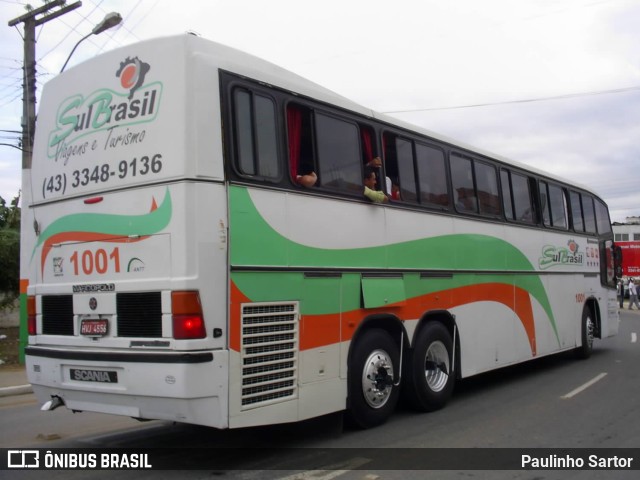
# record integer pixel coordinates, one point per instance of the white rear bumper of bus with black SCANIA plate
(187, 387)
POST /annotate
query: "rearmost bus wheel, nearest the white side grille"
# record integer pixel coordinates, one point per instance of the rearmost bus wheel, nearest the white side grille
(373, 370)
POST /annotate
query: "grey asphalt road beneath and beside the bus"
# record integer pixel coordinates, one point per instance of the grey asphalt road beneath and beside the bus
(554, 402)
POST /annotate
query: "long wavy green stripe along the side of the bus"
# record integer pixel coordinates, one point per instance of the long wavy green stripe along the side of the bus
(255, 243)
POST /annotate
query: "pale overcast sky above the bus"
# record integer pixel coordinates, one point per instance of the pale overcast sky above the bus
(554, 84)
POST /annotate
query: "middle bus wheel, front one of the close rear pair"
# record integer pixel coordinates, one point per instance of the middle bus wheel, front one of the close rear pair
(431, 378)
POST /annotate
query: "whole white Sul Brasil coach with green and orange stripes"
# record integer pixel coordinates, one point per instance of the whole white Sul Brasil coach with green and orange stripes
(198, 248)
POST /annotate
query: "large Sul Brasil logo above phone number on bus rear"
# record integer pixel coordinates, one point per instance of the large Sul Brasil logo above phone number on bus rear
(78, 116)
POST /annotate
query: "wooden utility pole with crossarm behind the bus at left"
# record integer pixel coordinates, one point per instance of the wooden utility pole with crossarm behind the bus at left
(31, 20)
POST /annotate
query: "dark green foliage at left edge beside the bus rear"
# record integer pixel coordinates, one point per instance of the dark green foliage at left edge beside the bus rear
(9, 251)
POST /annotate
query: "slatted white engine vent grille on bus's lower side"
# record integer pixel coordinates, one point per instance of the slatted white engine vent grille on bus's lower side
(269, 353)
